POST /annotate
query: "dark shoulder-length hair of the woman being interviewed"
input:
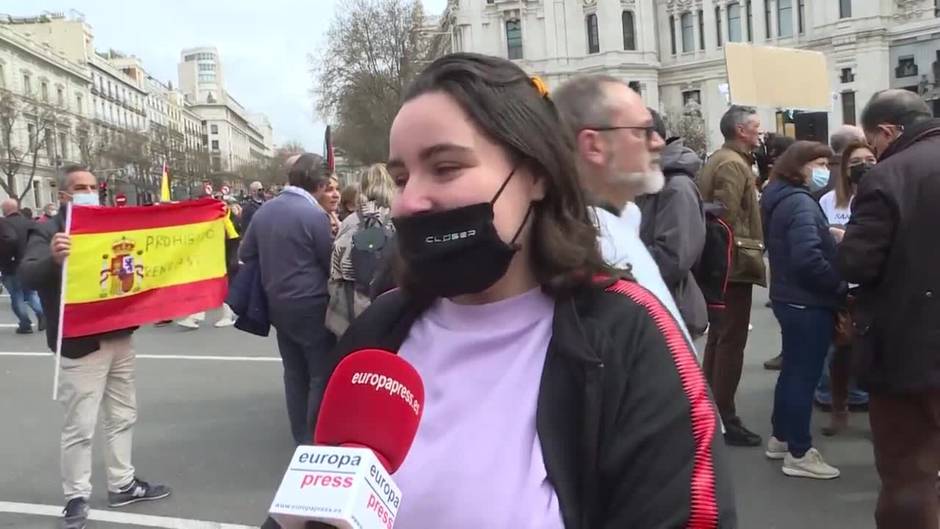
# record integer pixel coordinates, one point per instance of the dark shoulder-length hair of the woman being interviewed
(503, 102)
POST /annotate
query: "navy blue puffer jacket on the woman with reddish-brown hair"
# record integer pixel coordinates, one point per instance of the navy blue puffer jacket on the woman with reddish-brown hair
(802, 251)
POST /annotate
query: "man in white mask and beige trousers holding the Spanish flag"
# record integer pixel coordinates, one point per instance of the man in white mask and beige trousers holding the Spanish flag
(97, 371)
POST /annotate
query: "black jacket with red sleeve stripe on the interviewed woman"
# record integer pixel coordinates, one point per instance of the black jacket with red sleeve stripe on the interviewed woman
(629, 433)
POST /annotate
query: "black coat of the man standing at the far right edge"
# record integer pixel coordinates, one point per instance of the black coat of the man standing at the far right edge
(892, 249)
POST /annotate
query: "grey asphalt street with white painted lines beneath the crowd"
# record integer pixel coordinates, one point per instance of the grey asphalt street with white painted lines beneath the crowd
(212, 424)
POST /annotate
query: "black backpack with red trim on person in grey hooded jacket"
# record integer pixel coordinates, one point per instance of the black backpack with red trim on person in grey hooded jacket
(713, 268)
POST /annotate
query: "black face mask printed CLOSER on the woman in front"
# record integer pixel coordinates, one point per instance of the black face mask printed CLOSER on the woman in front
(455, 252)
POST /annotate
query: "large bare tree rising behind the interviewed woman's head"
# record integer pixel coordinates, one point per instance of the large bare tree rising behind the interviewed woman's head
(374, 49)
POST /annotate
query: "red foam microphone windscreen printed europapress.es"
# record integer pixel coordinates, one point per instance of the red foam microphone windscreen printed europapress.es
(374, 399)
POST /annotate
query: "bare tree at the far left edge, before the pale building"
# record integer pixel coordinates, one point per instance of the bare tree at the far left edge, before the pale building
(37, 121)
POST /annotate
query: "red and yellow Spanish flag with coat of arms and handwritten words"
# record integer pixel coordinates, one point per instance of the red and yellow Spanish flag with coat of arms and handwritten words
(137, 265)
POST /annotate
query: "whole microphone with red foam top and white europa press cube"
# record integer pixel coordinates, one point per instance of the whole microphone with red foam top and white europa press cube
(367, 422)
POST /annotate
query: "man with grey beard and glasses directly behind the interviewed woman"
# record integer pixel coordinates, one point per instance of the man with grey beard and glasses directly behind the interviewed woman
(618, 153)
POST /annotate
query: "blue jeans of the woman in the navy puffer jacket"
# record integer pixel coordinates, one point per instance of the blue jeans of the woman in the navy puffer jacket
(807, 333)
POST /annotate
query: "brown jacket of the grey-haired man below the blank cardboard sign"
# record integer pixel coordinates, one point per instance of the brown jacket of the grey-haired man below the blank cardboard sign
(727, 178)
